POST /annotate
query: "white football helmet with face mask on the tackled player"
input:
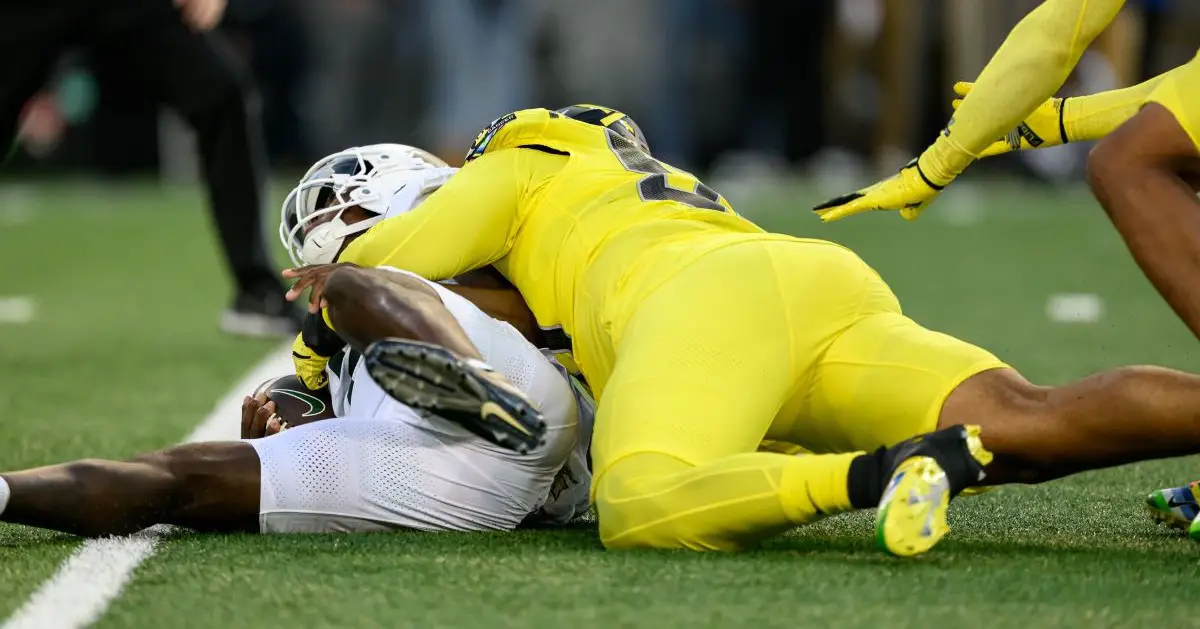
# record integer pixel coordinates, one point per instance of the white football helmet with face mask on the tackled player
(368, 177)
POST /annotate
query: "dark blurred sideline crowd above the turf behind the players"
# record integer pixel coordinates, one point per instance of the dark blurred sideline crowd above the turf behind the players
(719, 86)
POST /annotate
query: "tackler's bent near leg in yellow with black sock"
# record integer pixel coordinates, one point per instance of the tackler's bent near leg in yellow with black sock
(703, 370)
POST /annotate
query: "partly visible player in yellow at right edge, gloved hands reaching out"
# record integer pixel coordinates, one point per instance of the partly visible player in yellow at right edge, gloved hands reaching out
(1145, 172)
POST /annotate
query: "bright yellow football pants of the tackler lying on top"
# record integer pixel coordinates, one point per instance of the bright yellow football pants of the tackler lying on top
(777, 339)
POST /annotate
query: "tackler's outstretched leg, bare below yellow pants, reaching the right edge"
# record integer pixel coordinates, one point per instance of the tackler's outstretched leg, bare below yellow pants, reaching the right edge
(887, 379)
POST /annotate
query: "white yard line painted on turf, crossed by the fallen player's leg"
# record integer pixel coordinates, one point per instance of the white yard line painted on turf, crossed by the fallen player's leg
(85, 586)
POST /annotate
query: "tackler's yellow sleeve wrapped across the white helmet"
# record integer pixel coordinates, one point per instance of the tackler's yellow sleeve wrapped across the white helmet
(466, 225)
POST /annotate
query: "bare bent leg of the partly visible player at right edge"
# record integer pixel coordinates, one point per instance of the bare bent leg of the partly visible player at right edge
(1145, 175)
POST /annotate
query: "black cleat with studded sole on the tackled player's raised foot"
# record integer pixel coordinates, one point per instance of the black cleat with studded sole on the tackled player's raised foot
(433, 379)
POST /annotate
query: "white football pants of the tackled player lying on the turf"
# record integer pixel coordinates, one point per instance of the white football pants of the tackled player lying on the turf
(382, 465)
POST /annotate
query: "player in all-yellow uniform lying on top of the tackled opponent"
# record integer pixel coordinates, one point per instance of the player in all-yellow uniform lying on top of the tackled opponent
(703, 337)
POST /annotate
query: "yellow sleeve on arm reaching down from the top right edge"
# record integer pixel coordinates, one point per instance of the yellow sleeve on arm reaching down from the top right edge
(1031, 65)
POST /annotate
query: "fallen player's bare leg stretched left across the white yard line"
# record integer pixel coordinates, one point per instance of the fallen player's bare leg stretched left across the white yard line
(206, 487)
